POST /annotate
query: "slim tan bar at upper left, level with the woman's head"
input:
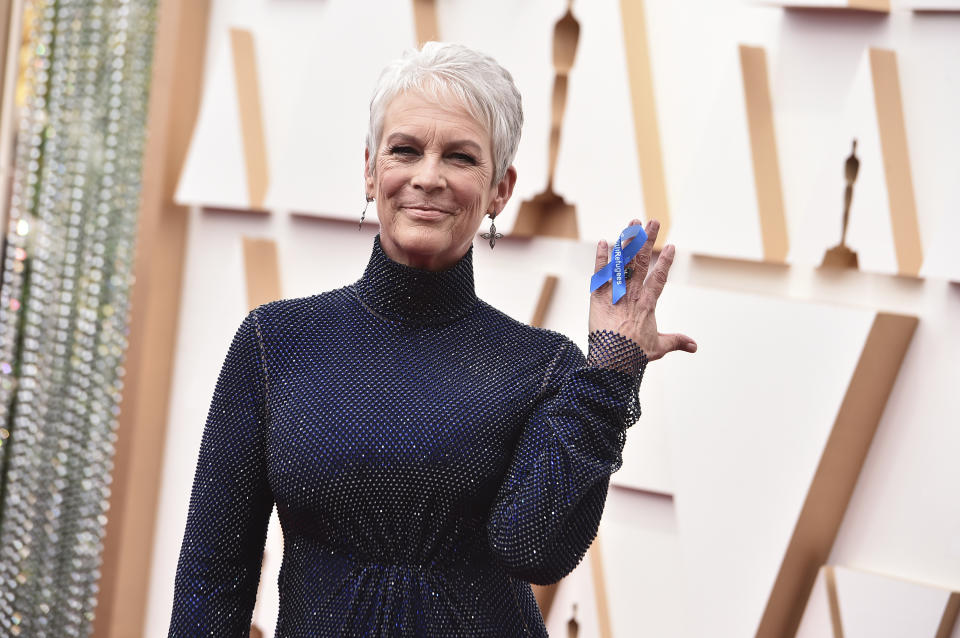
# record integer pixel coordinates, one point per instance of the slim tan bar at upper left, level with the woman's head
(251, 115)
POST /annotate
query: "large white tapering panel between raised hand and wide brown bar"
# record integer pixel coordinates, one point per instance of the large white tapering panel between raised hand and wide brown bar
(769, 377)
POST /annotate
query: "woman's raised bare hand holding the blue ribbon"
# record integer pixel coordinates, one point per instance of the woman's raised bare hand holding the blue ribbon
(634, 315)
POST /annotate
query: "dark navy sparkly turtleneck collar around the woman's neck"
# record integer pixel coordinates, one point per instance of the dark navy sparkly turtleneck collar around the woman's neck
(413, 295)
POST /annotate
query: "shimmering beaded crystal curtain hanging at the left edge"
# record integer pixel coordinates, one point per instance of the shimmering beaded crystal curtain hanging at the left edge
(67, 273)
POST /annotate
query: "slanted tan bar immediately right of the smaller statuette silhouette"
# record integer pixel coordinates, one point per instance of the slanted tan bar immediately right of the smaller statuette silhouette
(896, 161)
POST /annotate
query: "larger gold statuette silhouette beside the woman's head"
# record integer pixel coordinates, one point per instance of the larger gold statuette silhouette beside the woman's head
(547, 213)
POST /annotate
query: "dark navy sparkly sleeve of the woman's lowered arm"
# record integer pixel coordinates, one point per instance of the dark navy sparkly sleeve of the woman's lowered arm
(230, 503)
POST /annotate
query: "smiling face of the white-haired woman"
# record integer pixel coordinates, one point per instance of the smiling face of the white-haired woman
(432, 179)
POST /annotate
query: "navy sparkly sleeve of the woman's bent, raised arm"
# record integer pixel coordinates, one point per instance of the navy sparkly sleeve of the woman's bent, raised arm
(548, 509)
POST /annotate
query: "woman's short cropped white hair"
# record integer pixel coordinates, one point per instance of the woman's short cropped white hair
(443, 70)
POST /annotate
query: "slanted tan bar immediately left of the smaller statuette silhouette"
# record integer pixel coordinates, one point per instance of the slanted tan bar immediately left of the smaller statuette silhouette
(763, 144)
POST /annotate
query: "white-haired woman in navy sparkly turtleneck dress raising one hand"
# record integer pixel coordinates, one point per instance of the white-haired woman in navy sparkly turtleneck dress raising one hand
(429, 456)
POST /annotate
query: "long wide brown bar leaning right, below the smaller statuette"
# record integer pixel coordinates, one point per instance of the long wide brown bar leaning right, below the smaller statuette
(836, 475)
